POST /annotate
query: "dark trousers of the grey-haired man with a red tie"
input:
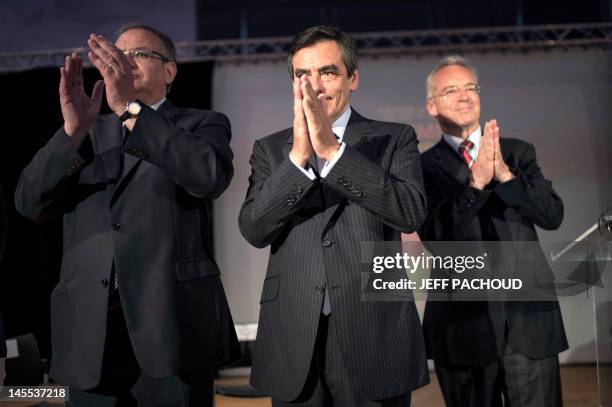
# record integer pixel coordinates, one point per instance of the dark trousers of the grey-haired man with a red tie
(512, 381)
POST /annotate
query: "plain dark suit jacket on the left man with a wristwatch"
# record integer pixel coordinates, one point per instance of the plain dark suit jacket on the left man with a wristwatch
(151, 216)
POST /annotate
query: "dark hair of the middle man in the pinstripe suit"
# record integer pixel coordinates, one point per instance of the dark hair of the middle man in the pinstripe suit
(321, 33)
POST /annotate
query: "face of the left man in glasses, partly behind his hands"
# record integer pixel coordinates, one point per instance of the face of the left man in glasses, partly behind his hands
(151, 75)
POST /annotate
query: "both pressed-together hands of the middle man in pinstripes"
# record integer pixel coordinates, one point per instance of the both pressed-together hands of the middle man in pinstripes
(312, 128)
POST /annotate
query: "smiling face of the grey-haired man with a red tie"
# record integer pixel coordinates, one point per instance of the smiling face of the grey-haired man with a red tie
(460, 109)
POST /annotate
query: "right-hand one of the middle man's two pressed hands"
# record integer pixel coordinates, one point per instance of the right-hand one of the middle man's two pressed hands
(322, 137)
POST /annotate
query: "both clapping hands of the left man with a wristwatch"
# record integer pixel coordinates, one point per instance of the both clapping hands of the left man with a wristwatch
(80, 110)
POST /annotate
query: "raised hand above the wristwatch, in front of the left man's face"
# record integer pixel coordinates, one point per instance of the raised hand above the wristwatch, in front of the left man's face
(116, 70)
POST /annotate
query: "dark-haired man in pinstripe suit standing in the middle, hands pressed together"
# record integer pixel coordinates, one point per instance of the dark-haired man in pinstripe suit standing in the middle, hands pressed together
(317, 190)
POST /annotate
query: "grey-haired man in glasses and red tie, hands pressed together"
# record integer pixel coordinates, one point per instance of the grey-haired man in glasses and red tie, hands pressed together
(484, 188)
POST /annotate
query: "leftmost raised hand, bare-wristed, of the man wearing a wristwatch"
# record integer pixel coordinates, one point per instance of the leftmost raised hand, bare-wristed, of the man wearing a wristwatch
(78, 109)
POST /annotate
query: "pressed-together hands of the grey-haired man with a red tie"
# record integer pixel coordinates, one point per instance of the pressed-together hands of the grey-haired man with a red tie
(489, 164)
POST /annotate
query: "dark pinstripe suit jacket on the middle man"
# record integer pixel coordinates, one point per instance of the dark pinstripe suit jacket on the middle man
(315, 230)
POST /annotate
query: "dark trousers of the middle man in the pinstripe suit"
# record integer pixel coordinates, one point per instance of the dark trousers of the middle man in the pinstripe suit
(328, 382)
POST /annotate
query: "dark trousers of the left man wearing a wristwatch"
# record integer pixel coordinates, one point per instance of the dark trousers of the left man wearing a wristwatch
(122, 384)
